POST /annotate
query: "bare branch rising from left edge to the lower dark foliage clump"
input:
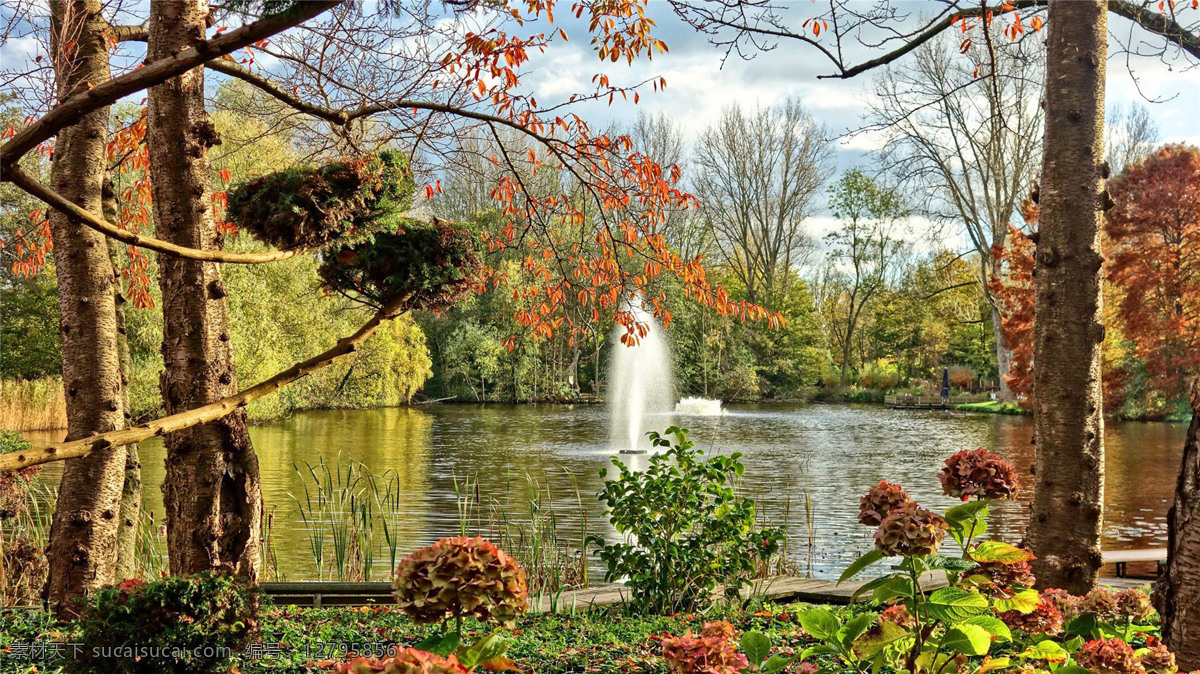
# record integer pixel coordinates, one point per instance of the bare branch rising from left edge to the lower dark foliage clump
(205, 414)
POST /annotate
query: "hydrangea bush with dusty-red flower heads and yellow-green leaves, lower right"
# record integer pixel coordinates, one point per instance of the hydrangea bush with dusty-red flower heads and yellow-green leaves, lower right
(989, 618)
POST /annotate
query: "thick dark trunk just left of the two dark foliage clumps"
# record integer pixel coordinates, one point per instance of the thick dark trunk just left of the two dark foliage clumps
(212, 491)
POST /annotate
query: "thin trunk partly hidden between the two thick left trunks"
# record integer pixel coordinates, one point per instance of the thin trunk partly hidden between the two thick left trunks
(131, 495)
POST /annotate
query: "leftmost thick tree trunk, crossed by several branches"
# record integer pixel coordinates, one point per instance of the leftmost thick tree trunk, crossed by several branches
(83, 535)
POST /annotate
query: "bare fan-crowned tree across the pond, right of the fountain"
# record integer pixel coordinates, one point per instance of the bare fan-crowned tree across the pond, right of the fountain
(757, 174)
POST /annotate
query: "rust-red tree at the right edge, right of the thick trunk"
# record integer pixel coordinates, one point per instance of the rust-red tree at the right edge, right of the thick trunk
(1154, 232)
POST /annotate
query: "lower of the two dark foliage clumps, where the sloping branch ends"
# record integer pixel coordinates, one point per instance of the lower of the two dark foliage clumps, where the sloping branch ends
(436, 262)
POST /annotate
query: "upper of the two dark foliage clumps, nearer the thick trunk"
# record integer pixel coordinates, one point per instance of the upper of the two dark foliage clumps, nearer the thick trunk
(341, 202)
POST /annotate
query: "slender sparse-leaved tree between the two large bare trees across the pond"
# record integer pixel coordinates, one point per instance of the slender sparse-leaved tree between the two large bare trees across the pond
(863, 255)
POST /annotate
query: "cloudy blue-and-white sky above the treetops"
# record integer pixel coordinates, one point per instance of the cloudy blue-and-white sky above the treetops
(701, 82)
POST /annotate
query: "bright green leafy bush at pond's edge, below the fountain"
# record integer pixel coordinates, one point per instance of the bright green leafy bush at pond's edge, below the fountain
(688, 531)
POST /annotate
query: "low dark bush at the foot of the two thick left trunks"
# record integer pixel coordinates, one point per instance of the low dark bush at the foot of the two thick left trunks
(177, 624)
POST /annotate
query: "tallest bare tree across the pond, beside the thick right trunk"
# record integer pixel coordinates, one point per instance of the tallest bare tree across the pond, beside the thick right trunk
(968, 135)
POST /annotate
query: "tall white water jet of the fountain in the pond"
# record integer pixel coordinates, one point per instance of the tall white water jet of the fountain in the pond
(640, 383)
